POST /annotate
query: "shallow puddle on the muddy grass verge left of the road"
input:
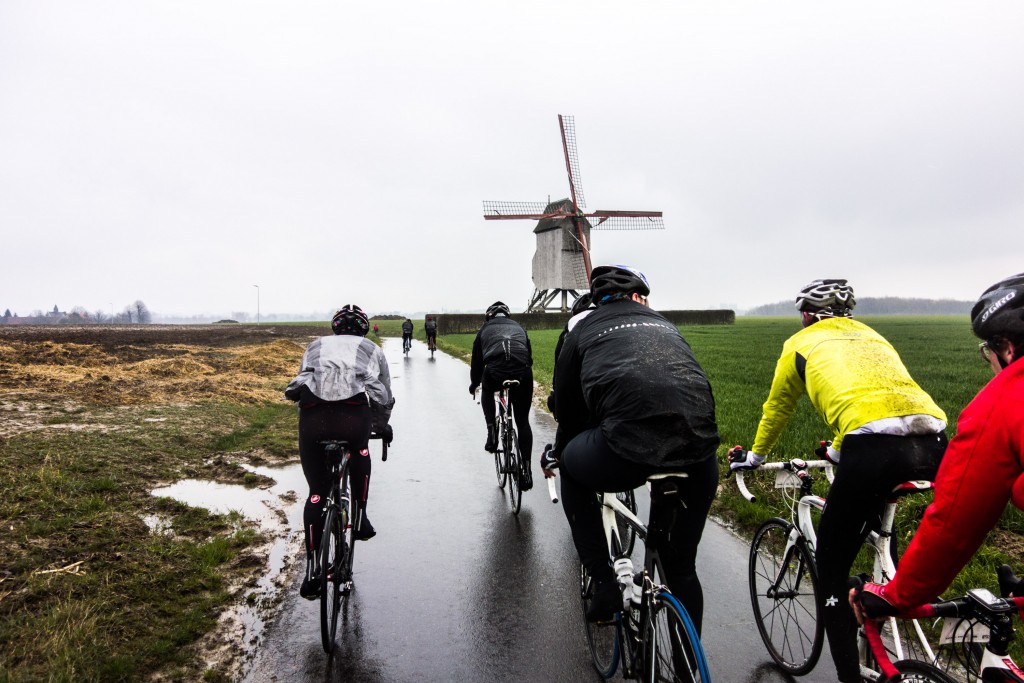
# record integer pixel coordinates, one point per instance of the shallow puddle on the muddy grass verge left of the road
(266, 506)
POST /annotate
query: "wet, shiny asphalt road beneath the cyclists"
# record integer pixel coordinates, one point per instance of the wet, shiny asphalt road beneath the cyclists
(455, 588)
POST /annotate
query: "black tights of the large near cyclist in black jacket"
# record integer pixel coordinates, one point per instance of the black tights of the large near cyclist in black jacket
(589, 465)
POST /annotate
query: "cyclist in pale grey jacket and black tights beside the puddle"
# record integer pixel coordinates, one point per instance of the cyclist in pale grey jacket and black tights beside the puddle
(340, 377)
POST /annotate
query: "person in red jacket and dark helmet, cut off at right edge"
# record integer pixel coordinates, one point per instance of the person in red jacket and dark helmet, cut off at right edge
(982, 471)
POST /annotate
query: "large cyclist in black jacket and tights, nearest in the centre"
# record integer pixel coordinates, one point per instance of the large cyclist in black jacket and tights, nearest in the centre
(632, 401)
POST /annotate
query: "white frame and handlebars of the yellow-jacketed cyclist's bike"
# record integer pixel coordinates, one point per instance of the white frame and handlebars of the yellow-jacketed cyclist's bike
(879, 542)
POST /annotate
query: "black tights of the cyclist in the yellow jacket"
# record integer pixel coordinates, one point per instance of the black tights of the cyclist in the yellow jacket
(871, 467)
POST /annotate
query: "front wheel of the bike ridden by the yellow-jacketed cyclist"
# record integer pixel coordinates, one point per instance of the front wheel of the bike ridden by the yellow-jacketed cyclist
(784, 593)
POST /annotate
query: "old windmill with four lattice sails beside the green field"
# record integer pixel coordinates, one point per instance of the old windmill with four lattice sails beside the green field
(562, 263)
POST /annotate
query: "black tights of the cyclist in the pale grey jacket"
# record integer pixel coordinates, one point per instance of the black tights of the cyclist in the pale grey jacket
(350, 422)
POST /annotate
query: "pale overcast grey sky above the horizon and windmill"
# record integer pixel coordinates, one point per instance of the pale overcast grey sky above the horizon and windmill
(182, 152)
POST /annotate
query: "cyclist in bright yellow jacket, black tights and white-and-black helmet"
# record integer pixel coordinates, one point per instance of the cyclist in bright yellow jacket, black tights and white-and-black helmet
(887, 432)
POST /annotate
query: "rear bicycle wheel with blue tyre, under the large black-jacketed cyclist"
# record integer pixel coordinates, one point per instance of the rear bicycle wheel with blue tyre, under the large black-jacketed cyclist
(672, 648)
